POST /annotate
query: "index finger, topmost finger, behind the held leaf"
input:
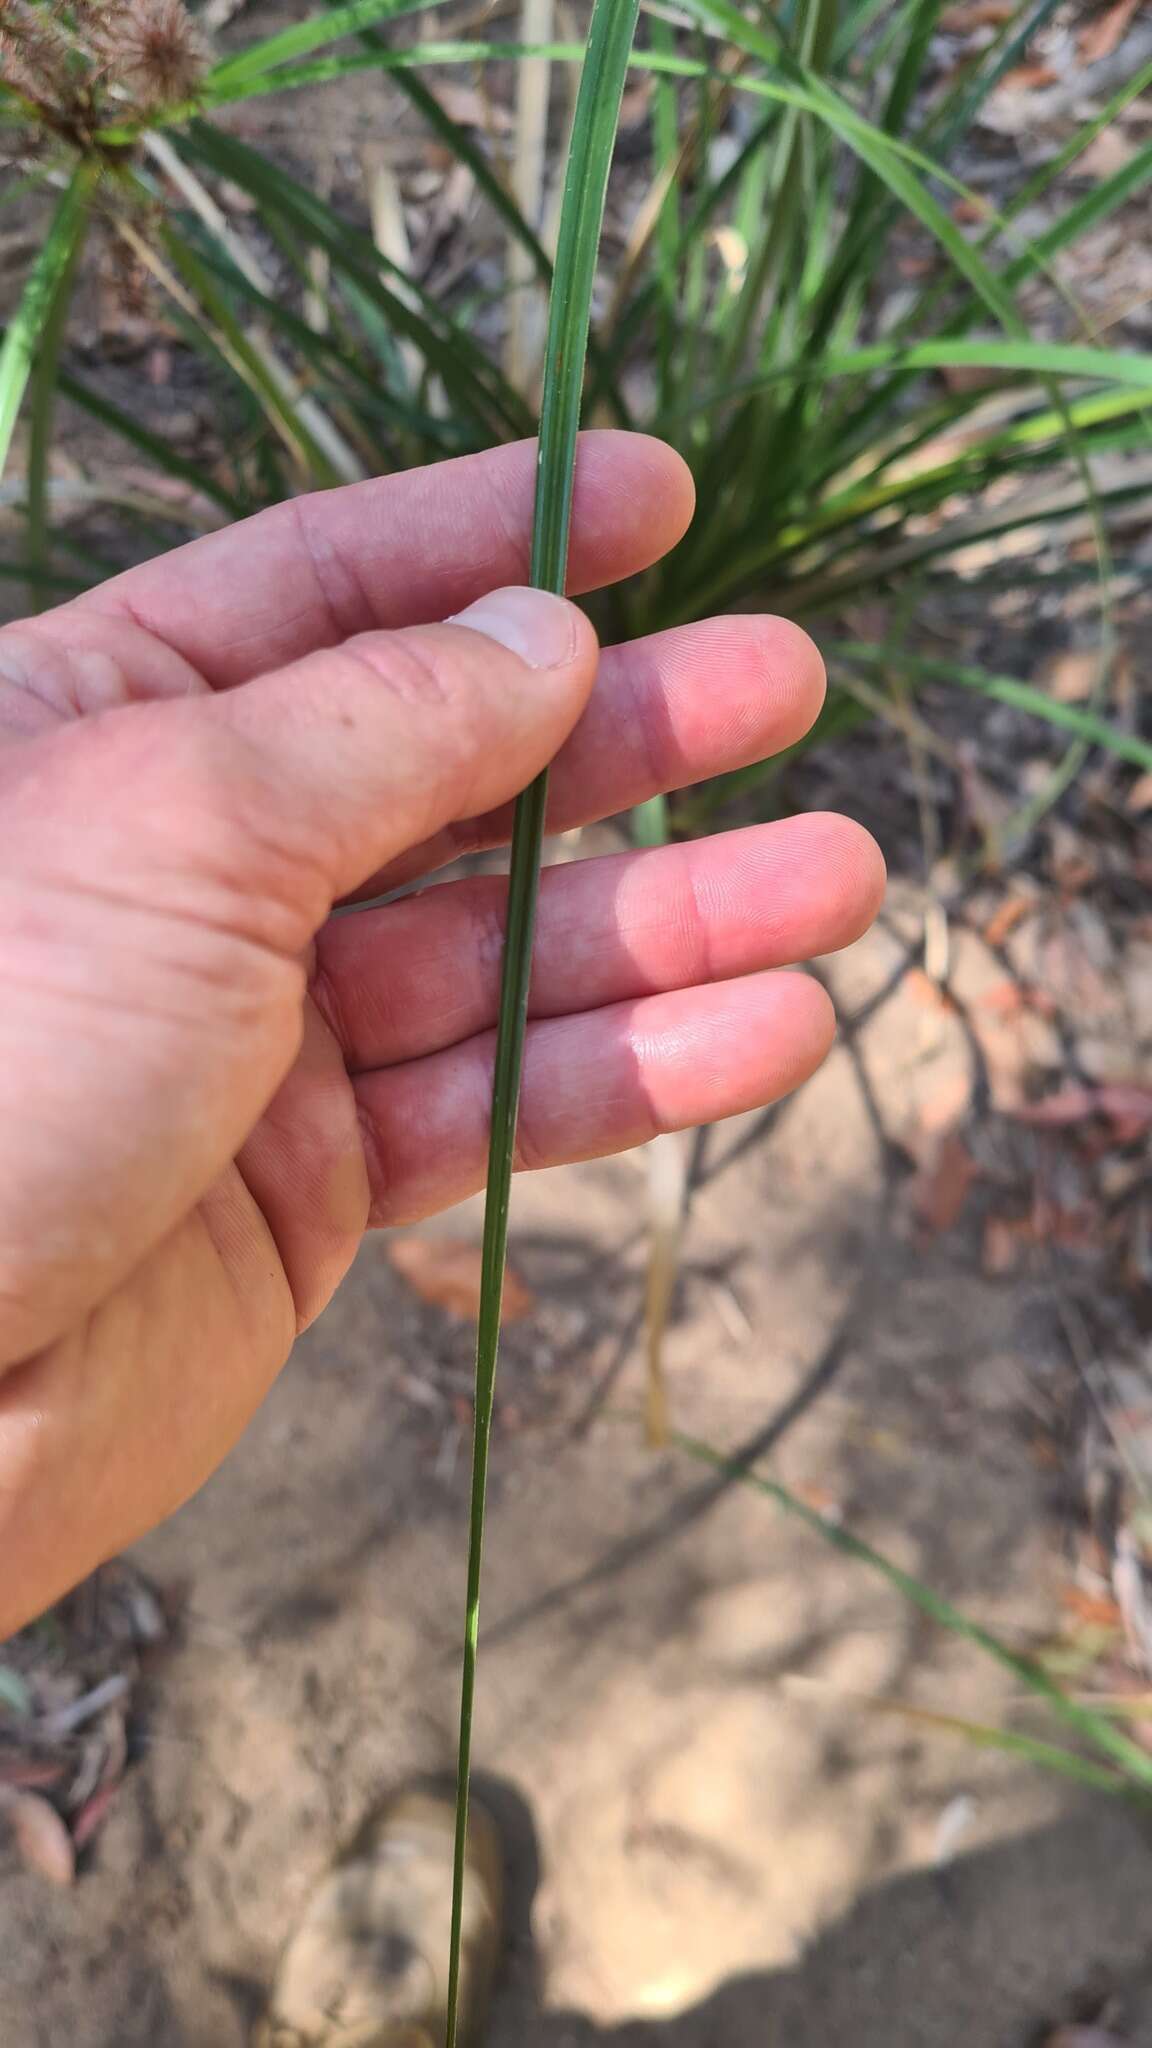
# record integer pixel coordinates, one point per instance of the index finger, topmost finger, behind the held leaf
(395, 552)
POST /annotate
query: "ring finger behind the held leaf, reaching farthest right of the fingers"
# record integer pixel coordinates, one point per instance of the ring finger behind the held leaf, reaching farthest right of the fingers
(419, 976)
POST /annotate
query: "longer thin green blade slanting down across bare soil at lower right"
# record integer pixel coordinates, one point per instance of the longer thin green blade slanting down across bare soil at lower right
(1094, 1730)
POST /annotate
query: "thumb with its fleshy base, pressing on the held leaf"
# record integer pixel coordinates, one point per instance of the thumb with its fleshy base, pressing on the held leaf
(163, 871)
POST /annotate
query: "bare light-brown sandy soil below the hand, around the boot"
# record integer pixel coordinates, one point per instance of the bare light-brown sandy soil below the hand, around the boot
(712, 1840)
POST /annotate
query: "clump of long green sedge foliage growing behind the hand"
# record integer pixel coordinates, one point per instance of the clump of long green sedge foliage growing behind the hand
(835, 443)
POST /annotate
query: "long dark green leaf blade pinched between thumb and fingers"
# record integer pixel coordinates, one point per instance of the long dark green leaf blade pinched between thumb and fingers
(585, 187)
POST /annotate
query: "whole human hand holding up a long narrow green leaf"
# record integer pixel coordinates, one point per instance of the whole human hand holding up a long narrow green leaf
(210, 1086)
